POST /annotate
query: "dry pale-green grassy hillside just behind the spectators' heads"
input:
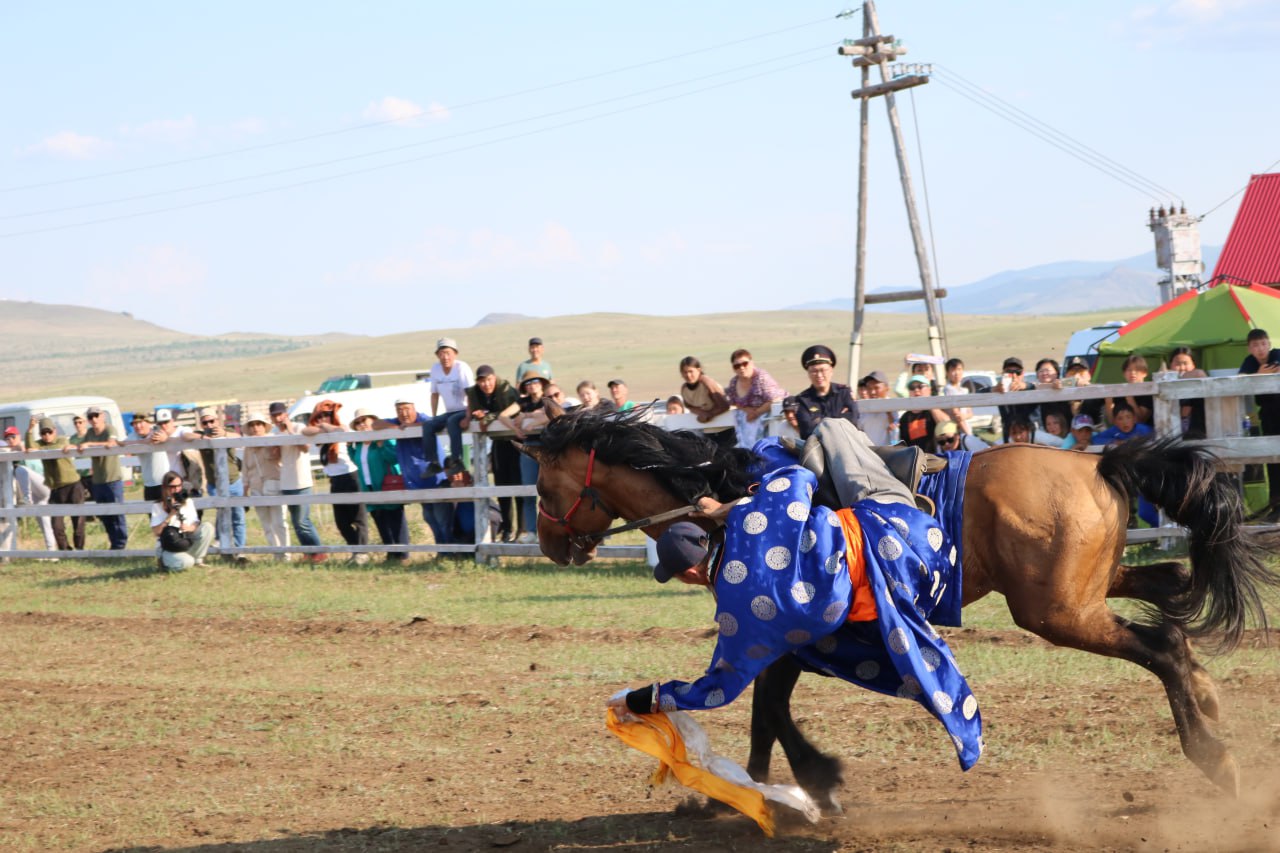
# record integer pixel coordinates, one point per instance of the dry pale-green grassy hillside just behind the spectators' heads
(643, 350)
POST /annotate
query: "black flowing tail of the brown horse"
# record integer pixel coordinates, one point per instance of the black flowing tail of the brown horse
(1228, 572)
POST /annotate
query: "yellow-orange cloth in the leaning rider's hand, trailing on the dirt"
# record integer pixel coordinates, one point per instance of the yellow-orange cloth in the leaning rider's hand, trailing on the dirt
(655, 736)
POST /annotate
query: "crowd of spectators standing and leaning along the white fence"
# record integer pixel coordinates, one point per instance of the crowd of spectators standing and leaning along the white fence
(463, 398)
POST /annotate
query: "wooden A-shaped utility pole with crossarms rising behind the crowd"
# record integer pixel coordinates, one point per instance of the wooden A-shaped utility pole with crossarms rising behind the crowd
(879, 51)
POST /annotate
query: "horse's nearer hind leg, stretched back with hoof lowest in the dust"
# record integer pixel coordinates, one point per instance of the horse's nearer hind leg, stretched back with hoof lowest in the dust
(1163, 650)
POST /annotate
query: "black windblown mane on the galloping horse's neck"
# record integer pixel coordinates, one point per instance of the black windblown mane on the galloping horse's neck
(688, 464)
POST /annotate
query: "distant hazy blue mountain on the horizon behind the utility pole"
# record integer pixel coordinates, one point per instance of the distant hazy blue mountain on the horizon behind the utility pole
(1060, 288)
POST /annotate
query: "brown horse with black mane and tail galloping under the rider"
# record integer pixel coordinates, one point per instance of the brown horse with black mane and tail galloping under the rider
(1045, 528)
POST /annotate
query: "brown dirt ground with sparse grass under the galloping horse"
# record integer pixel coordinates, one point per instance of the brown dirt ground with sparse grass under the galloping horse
(275, 736)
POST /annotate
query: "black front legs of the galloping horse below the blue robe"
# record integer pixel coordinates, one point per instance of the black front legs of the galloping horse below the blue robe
(771, 720)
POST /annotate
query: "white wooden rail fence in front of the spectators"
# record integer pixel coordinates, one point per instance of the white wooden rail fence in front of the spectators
(1224, 403)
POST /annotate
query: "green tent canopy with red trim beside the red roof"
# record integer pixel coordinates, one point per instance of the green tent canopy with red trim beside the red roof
(1214, 323)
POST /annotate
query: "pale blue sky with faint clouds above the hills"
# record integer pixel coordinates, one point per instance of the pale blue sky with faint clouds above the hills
(377, 168)
